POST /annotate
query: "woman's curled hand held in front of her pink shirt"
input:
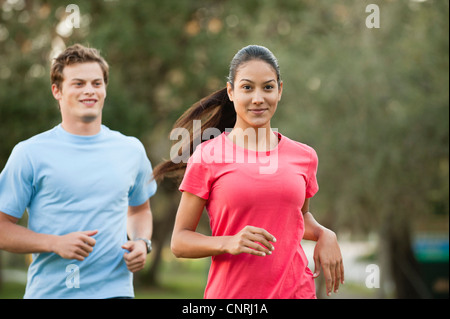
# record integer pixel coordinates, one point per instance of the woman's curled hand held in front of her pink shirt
(250, 240)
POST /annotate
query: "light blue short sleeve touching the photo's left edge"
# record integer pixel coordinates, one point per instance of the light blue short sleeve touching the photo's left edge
(16, 183)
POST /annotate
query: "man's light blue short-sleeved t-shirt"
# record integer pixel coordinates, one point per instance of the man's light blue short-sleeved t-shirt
(70, 183)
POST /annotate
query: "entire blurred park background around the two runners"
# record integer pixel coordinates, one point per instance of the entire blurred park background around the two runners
(373, 102)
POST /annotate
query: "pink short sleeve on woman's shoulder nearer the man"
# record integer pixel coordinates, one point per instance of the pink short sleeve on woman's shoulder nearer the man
(197, 178)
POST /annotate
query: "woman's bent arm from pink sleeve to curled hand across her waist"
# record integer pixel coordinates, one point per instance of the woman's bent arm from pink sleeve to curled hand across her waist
(187, 243)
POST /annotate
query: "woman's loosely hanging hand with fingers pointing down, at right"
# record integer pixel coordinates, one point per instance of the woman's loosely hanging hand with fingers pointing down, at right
(327, 255)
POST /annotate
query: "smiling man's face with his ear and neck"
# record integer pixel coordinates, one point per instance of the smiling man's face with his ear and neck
(82, 93)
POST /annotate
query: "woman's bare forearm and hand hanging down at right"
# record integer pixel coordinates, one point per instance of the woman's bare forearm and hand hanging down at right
(327, 254)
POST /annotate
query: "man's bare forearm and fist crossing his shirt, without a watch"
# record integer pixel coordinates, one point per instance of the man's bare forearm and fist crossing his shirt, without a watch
(17, 239)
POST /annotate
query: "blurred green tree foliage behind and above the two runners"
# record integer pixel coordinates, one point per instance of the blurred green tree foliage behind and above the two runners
(373, 102)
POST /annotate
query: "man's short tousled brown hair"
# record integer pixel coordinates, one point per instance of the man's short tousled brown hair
(76, 53)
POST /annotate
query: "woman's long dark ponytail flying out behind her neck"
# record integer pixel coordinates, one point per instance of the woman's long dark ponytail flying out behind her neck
(214, 111)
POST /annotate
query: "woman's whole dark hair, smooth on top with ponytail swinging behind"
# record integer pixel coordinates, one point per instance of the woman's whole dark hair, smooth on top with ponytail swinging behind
(214, 111)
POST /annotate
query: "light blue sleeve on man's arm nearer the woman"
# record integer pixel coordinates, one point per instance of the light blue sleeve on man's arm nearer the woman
(145, 185)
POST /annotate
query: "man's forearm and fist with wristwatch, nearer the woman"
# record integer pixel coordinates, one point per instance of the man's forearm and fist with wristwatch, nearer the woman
(139, 225)
